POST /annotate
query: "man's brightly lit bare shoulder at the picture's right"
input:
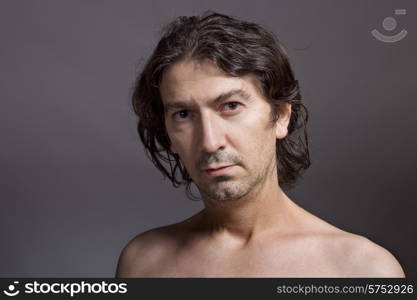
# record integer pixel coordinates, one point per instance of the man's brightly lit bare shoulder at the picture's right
(358, 256)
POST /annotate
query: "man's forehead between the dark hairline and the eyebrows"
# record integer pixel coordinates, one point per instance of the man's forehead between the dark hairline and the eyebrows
(192, 80)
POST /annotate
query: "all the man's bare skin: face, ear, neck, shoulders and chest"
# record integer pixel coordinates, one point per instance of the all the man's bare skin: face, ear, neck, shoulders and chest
(249, 227)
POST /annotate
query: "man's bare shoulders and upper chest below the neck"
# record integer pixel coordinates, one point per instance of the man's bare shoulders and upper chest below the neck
(314, 249)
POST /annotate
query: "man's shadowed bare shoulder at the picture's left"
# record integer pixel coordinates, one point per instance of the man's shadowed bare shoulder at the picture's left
(146, 251)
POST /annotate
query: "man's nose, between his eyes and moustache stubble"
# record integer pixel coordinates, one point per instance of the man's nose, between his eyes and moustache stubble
(212, 135)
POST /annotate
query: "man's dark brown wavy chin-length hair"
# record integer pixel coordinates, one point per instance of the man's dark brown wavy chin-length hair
(238, 48)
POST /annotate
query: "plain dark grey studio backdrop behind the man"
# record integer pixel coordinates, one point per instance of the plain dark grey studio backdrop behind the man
(75, 184)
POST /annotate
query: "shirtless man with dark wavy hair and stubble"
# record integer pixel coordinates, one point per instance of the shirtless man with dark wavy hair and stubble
(219, 106)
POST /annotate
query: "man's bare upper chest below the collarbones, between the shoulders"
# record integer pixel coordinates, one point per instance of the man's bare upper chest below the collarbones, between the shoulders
(283, 261)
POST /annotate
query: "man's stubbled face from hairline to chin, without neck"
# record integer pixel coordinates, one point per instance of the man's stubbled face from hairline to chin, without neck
(220, 126)
